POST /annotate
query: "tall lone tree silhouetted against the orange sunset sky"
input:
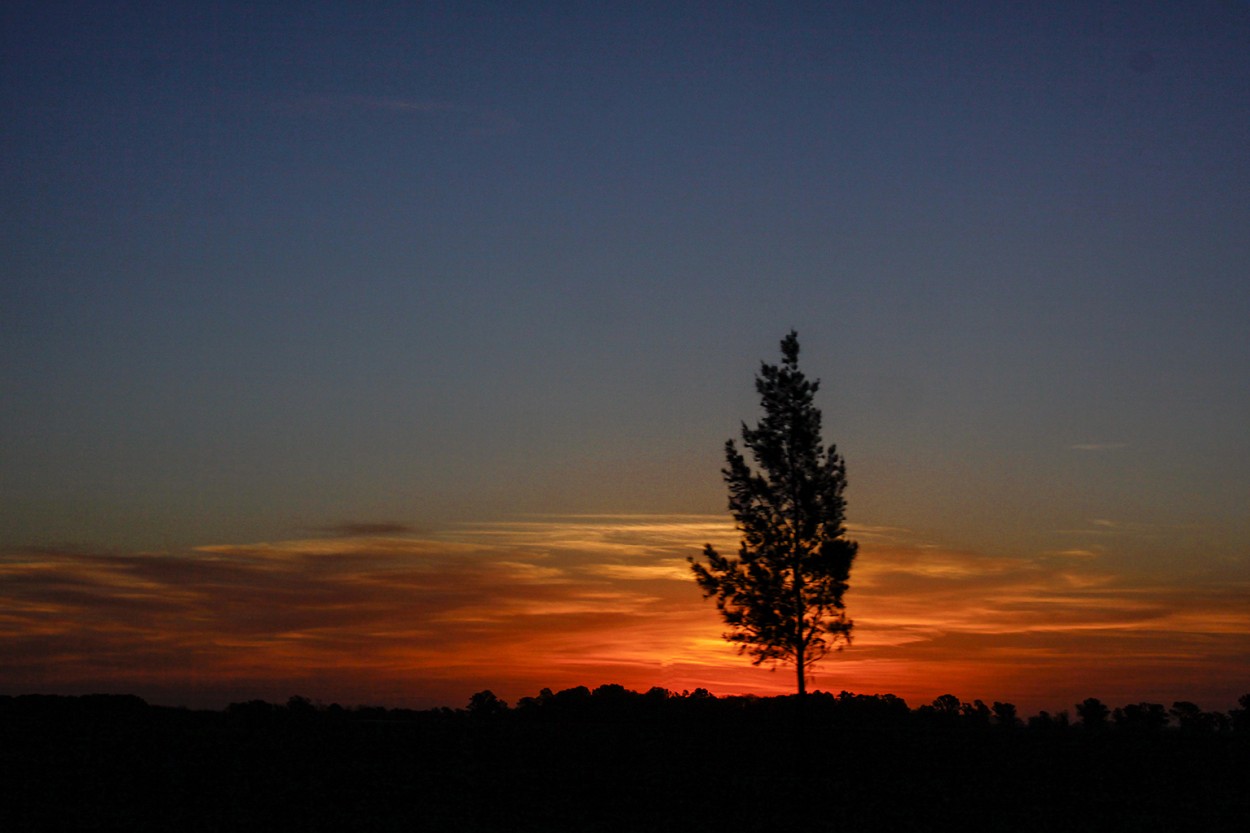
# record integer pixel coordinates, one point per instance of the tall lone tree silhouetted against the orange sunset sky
(782, 596)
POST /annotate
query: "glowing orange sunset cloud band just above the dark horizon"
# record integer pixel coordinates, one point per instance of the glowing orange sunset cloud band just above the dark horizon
(386, 616)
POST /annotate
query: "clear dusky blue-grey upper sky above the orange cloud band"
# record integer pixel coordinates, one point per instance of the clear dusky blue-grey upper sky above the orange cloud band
(274, 270)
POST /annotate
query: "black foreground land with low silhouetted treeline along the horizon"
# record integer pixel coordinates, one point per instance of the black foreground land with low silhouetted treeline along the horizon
(614, 761)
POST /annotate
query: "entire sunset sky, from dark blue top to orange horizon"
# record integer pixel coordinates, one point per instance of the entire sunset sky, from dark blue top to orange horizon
(383, 353)
